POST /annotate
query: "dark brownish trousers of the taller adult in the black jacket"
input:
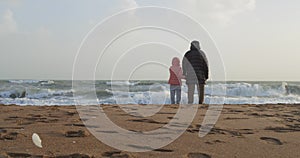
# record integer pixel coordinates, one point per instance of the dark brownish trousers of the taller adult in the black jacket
(191, 90)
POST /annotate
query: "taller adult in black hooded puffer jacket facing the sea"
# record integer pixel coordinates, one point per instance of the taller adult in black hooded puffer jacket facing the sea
(195, 68)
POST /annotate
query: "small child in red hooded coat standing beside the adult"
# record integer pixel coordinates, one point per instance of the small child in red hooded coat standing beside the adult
(175, 81)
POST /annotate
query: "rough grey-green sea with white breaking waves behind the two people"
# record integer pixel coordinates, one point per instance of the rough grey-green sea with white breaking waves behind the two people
(61, 92)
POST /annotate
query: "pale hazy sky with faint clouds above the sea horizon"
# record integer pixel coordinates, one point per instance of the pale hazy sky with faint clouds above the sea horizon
(253, 40)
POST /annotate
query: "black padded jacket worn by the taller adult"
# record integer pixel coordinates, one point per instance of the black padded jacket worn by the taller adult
(195, 66)
